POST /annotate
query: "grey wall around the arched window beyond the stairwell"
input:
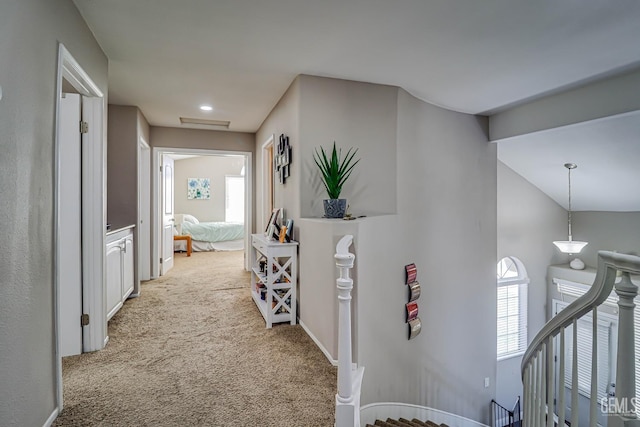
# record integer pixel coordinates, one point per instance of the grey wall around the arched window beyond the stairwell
(528, 222)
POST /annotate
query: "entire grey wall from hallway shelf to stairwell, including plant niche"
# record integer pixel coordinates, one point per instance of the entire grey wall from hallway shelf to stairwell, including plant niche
(437, 171)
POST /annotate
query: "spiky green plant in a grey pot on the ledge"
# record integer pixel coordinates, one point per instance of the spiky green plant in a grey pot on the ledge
(335, 171)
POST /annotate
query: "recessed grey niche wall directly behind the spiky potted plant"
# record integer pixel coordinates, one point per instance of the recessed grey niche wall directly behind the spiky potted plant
(353, 114)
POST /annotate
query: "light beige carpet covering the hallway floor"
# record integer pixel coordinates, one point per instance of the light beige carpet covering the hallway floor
(193, 350)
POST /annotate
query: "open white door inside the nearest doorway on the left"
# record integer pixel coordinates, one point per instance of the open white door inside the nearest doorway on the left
(69, 239)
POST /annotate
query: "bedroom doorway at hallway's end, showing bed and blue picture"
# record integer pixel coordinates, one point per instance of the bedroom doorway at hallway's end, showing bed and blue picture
(205, 191)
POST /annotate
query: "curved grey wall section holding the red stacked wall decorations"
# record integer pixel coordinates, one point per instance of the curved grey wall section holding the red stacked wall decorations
(446, 224)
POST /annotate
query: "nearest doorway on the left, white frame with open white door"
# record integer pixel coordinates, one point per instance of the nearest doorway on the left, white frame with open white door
(79, 202)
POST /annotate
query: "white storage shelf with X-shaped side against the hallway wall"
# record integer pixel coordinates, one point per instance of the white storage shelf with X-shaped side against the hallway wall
(273, 287)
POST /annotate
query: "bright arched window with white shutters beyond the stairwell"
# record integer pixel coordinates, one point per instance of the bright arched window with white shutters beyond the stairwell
(512, 307)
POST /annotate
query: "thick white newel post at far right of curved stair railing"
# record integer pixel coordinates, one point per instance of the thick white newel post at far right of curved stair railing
(625, 375)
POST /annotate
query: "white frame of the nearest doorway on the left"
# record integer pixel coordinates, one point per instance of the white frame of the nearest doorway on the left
(93, 206)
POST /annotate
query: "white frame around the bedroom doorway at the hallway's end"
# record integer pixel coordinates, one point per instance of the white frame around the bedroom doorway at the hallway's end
(156, 211)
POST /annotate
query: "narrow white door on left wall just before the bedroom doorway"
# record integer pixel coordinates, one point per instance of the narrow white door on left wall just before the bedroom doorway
(144, 212)
